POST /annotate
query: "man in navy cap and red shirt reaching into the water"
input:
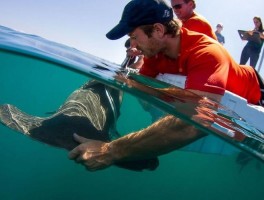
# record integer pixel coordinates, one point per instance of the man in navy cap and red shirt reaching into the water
(168, 48)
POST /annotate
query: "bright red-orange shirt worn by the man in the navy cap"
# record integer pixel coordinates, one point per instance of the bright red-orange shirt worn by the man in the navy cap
(207, 66)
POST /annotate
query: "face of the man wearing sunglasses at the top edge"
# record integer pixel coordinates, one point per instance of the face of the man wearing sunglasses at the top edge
(181, 9)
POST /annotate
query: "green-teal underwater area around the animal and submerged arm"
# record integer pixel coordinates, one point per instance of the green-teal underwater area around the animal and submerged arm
(32, 170)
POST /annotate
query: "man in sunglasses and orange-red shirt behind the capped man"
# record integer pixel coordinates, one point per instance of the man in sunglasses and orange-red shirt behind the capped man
(184, 10)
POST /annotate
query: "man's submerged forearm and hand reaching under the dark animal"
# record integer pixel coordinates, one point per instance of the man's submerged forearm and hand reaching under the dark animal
(163, 136)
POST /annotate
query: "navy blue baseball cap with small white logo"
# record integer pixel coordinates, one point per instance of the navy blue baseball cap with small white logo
(141, 12)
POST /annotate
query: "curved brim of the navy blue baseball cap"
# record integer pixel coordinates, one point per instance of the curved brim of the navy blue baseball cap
(118, 31)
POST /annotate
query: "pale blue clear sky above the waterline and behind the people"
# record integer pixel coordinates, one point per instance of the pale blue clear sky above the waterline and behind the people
(83, 23)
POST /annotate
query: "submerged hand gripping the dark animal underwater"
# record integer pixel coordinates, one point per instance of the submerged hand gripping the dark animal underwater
(92, 154)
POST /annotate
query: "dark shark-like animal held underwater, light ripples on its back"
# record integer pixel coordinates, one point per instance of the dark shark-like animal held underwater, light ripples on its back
(90, 111)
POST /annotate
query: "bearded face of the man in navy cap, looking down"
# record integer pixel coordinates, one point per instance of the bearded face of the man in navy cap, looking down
(149, 46)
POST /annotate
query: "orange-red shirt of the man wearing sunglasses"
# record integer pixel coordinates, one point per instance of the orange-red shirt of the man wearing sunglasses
(199, 24)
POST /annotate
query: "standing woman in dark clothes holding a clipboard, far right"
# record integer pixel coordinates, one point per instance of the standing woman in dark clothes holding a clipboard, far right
(253, 48)
